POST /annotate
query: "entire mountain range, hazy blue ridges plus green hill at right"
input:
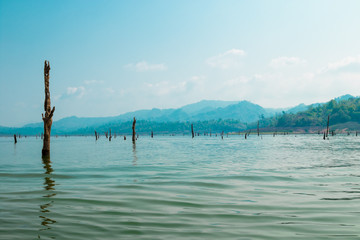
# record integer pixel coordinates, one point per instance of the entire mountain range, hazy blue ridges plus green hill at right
(216, 116)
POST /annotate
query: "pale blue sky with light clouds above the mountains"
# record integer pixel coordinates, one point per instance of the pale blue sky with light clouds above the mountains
(111, 57)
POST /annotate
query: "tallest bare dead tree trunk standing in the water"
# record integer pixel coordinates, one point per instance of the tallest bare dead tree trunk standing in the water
(48, 112)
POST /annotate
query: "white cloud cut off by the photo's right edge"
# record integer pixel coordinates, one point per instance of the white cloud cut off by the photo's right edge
(348, 64)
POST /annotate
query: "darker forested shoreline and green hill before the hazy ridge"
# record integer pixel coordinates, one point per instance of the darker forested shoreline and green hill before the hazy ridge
(344, 116)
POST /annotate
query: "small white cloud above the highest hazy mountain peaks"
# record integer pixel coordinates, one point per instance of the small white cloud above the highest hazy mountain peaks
(226, 60)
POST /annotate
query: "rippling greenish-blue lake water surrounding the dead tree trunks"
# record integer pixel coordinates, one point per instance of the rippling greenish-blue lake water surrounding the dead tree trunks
(282, 187)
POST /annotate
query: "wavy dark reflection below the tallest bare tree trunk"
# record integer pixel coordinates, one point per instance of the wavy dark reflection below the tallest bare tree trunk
(49, 186)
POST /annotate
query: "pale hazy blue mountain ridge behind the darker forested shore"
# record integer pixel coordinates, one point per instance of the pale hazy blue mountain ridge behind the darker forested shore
(205, 110)
